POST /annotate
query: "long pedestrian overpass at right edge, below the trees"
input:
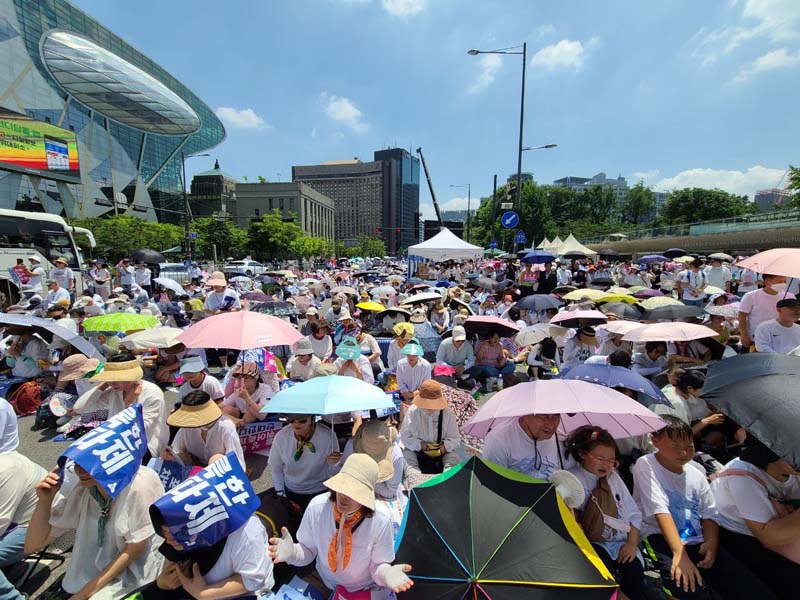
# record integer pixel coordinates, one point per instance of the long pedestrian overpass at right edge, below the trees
(747, 233)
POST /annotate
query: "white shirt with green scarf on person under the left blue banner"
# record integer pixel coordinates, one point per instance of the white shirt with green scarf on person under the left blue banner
(128, 523)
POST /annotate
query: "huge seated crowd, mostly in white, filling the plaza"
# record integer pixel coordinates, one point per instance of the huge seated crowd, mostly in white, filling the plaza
(701, 501)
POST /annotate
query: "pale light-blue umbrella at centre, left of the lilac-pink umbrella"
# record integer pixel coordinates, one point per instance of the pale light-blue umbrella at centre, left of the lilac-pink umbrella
(327, 396)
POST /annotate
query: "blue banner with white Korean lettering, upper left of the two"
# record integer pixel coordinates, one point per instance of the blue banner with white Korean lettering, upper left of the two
(113, 451)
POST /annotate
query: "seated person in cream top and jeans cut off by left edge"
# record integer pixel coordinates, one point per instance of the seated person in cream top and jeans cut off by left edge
(19, 476)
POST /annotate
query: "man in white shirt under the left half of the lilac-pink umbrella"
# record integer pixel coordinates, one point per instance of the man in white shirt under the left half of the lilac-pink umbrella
(528, 445)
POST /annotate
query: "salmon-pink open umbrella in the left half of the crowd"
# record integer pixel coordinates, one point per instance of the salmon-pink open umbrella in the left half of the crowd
(241, 330)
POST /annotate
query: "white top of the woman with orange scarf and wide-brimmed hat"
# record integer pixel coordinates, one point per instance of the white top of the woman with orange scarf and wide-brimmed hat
(372, 545)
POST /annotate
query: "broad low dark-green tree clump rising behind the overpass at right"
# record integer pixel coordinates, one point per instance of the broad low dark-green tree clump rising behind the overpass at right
(691, 205)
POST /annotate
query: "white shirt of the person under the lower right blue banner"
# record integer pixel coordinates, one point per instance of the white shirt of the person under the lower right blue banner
(244, 554)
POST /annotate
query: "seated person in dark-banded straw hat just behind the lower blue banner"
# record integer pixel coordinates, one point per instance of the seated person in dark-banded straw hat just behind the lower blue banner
(203, 435)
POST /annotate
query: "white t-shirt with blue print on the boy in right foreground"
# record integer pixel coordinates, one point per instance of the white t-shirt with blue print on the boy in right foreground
(685, 496)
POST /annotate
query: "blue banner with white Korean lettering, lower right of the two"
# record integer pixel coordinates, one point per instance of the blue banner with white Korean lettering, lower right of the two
(209, 506)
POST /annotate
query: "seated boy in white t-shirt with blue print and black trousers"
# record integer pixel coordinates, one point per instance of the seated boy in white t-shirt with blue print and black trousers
(678, 512)
